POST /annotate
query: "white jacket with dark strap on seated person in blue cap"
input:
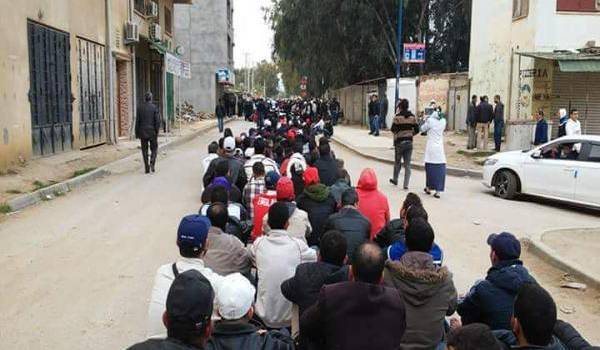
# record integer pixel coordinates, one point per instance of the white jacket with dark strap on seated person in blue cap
(162, 282)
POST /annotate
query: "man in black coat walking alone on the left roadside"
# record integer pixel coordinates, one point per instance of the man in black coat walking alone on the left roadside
(147, 126)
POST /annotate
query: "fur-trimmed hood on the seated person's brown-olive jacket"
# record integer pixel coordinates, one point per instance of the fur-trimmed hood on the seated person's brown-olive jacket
(417, 277)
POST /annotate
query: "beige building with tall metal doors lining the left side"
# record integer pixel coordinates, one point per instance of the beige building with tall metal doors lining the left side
(68, 70)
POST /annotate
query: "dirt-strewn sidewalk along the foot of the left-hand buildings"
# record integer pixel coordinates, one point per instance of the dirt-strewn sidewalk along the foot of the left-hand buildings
(43, 172)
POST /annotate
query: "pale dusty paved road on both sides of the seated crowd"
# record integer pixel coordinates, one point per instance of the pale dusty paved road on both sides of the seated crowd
(77, 271)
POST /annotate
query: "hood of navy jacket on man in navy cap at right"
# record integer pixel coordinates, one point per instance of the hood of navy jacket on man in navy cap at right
(509, 275)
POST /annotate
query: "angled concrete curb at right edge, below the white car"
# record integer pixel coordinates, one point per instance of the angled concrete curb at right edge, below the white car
(550, 256)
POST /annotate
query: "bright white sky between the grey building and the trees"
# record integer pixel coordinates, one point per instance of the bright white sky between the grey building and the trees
(252, 34)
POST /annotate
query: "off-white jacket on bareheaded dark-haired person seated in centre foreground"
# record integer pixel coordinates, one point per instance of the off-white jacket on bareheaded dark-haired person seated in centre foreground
(276, 257)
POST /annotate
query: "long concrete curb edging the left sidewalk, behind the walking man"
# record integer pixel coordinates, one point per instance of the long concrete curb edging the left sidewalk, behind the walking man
(69, 185)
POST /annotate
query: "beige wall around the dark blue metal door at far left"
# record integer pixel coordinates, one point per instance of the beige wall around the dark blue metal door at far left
(65, 15)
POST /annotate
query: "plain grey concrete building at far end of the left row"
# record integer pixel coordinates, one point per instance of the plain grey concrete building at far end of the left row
(205, 32)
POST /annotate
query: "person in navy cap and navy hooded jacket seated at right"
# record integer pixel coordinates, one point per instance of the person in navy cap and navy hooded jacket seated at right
(490, 301)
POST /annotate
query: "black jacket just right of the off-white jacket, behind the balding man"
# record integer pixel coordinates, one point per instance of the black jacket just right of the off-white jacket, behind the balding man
(303, 289)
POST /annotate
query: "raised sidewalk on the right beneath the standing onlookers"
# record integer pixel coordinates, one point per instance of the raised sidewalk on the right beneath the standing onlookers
(382, 147)
